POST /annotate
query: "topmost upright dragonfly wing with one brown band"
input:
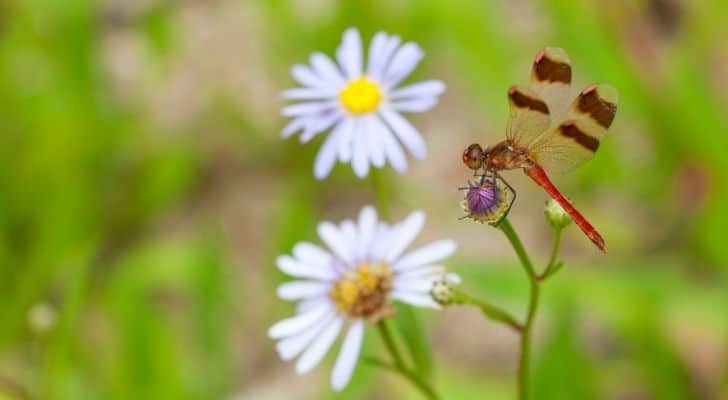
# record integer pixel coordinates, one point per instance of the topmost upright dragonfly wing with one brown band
(551, 80)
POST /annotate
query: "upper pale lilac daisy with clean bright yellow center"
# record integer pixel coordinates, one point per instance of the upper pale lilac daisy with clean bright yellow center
(361, 104)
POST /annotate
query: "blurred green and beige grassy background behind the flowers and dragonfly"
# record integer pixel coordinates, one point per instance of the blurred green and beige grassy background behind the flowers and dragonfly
(144, 194)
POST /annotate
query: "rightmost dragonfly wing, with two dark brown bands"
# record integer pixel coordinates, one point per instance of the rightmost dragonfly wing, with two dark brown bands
(577, 137)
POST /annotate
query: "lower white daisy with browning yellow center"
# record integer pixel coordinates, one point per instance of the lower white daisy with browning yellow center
(352, 282)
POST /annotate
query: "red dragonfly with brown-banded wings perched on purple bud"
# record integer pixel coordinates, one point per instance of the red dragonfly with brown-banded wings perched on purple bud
(549, 130)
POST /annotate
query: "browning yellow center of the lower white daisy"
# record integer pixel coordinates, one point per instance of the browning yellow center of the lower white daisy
(363, 291)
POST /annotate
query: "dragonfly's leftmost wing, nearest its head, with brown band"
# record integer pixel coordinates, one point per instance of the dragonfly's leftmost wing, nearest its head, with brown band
(529, 115)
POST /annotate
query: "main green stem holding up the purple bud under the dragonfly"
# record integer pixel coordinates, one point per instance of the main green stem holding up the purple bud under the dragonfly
(524, 360)
